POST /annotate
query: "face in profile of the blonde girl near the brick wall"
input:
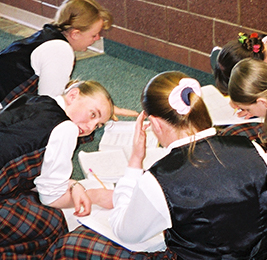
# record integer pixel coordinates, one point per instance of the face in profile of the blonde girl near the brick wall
(81, 40)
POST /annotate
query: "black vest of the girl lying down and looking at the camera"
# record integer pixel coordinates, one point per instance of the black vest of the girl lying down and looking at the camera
(26, 127)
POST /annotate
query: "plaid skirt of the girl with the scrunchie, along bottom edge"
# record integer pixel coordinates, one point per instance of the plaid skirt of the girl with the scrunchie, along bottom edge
(84, 243)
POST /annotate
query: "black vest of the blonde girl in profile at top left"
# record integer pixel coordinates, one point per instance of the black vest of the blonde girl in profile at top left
(15, 63)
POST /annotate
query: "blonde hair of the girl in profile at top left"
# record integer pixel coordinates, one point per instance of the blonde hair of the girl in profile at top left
(81, 15)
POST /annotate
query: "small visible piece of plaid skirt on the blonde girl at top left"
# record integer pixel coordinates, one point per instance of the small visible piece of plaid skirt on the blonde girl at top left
(30, 86)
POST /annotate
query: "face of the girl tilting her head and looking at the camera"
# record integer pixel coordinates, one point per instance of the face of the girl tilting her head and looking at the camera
(87, 112)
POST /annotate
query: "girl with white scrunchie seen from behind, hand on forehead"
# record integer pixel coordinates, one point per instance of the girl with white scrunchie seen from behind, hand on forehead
(208, 195)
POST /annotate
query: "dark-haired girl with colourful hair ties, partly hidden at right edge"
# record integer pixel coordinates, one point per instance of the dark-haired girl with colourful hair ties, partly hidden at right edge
(254, 46)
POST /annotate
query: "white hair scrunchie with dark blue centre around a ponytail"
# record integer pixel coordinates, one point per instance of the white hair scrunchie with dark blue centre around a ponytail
(179, 97)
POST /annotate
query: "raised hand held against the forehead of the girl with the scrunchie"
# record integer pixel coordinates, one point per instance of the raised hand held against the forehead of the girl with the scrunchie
(139, 142)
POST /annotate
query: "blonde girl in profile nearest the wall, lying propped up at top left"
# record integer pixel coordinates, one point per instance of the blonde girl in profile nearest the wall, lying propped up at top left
(42, 63)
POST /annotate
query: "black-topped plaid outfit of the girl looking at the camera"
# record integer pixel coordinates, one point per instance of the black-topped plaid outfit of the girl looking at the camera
(27, 228)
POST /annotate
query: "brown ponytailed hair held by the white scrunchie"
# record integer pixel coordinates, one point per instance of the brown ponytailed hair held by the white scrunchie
(155, 102)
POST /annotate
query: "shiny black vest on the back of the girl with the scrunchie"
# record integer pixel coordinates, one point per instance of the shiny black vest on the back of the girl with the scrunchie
(217, 199)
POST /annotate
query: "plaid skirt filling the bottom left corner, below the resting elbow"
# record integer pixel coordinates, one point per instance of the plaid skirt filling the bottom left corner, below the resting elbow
(28, 228)
